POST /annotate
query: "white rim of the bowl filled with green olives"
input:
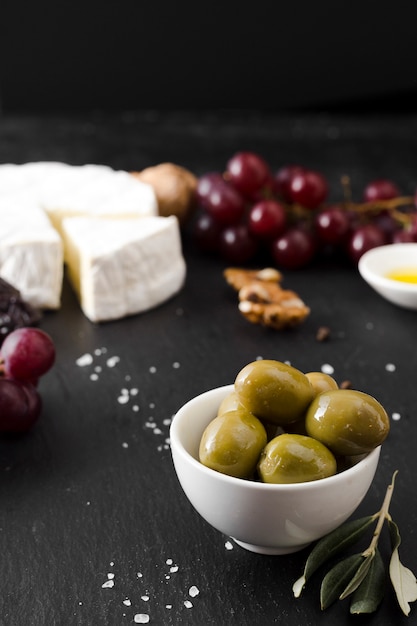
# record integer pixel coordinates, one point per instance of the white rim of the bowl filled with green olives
(177, 447)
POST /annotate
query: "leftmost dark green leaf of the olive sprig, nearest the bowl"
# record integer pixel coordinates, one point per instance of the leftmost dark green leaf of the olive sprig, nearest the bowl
(330, 546)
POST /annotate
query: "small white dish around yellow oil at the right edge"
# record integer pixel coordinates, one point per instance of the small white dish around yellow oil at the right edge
(375, 264)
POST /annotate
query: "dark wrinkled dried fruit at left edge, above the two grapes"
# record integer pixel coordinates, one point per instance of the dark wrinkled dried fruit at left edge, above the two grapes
(14, 311)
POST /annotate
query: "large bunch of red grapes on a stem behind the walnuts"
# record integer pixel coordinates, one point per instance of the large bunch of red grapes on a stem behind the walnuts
(248, 210)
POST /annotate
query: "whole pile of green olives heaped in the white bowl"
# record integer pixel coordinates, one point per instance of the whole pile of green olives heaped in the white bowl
(280, 425)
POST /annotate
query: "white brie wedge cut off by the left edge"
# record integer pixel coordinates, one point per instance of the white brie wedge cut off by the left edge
(31, 254)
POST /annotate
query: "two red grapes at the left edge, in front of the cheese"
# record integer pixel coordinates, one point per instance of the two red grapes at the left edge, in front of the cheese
(25, 355)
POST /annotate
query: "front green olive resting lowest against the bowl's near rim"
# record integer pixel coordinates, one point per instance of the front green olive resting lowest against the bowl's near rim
(291, 459)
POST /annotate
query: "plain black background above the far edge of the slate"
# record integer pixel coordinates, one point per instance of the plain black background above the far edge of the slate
(130, 54)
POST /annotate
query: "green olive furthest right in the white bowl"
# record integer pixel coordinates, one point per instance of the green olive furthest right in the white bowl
(348, 422)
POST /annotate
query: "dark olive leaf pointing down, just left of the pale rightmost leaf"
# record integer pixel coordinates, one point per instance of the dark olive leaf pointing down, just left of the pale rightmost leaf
(368, 596)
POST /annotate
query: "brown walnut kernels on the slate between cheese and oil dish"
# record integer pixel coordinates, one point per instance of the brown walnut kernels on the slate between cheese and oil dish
(262, 299)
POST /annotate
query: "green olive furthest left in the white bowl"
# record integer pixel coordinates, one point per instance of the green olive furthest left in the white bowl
(232, 443)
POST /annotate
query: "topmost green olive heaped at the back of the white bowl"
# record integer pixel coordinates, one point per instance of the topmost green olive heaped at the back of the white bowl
(274, 391)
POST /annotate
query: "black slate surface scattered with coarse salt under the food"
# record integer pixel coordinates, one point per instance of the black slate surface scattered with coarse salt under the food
(90, 498)
